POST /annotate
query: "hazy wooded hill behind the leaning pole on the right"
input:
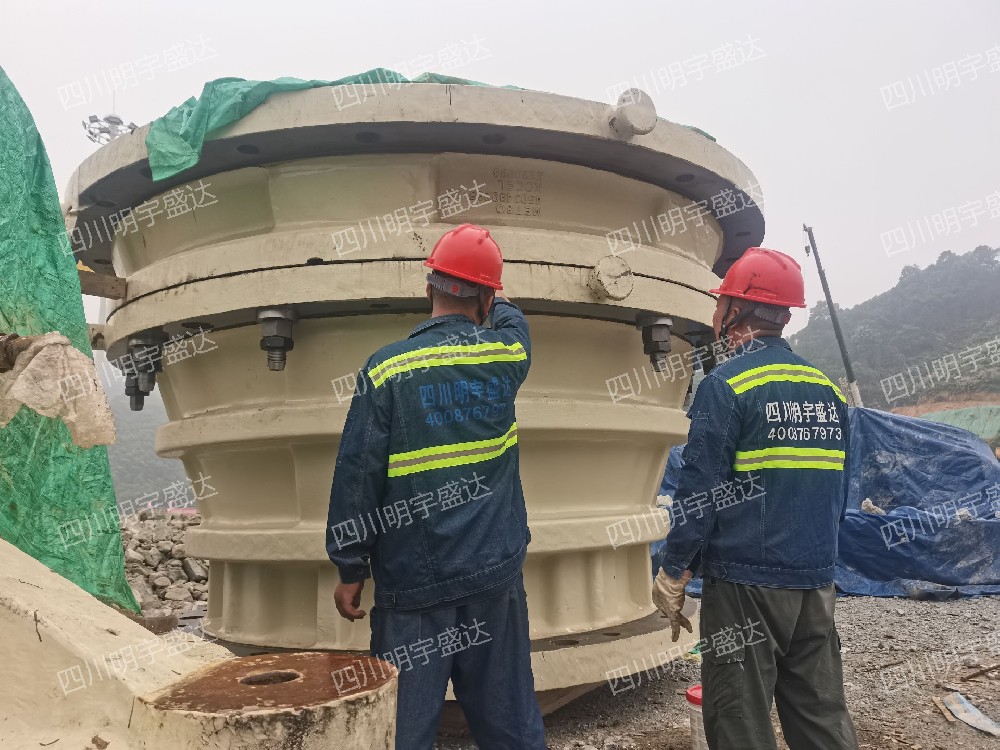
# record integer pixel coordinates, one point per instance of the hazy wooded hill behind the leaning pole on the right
(924, 341)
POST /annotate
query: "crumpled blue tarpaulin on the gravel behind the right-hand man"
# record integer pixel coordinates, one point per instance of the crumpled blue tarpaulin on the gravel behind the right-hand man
(940, 488)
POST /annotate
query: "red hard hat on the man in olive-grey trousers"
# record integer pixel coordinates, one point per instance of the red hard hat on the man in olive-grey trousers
(766, 276)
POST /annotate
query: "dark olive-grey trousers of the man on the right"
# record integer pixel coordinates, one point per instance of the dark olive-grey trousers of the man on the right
(764, 644)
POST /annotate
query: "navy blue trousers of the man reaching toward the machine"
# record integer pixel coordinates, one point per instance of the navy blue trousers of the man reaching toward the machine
(483, 647)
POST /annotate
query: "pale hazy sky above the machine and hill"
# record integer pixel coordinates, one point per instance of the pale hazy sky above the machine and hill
(858, 118)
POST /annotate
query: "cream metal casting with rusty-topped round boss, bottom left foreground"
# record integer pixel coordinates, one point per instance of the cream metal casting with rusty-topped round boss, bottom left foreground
(79, 674)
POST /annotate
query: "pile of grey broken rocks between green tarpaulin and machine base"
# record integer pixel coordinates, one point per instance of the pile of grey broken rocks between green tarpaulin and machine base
(163, 578)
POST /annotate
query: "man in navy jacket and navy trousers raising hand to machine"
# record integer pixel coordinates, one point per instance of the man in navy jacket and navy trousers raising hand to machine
(427, 501)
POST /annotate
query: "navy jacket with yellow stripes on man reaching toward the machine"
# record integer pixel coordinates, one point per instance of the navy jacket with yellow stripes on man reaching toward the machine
(426, 494)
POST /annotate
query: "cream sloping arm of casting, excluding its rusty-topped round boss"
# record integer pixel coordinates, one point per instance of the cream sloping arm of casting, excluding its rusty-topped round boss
(72, 665)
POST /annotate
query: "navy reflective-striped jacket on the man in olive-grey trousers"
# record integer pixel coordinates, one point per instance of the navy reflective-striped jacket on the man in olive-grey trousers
(762, 492)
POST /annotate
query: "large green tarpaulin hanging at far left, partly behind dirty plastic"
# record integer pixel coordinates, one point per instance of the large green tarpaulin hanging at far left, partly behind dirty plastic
(57, 502)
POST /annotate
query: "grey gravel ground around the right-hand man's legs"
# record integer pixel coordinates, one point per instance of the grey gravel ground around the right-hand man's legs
(898, 655)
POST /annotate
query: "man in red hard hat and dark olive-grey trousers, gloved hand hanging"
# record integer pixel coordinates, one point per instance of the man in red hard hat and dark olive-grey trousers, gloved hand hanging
(758, 505)
